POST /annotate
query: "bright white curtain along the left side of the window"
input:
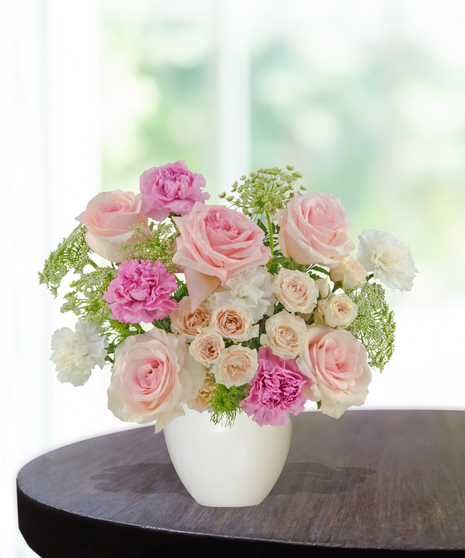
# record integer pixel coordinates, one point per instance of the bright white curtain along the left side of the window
(49, 168)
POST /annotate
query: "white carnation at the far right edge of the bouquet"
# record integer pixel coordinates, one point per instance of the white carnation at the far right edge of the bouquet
(389, 259)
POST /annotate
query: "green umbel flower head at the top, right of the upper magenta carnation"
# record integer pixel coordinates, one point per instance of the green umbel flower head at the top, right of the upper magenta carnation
(265, 192)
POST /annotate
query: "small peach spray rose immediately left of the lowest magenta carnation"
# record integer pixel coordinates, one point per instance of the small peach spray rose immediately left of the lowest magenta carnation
(236, 366)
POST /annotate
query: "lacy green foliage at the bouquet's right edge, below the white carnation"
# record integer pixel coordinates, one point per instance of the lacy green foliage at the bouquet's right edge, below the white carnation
(374, 325)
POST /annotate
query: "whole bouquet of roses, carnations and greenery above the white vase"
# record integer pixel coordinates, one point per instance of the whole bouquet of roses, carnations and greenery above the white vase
(255, 307)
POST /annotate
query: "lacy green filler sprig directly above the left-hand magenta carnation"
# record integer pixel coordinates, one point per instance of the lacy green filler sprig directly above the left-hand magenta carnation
(160, 245)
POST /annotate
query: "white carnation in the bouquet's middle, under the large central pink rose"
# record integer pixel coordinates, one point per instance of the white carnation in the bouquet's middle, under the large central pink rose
(251, 288)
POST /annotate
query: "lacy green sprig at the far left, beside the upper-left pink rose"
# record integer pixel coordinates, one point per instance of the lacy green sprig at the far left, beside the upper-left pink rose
(71, 255)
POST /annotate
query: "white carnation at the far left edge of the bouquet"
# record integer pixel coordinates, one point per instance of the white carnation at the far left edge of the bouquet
(76, 353)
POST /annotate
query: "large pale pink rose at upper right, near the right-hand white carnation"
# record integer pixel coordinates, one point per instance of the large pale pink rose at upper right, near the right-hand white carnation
(313, 230)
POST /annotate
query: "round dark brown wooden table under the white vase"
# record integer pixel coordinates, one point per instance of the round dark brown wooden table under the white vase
(373, 483)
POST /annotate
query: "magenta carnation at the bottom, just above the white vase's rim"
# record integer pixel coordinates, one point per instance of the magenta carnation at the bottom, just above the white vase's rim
(276, 390)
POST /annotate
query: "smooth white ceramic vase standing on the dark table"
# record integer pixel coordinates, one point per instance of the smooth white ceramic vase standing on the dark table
(223, 466)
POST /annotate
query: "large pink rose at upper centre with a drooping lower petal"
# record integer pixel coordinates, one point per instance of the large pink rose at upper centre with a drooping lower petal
(215, 244)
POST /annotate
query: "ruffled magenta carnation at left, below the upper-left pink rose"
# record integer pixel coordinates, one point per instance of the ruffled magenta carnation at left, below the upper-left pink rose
(140, 292)
